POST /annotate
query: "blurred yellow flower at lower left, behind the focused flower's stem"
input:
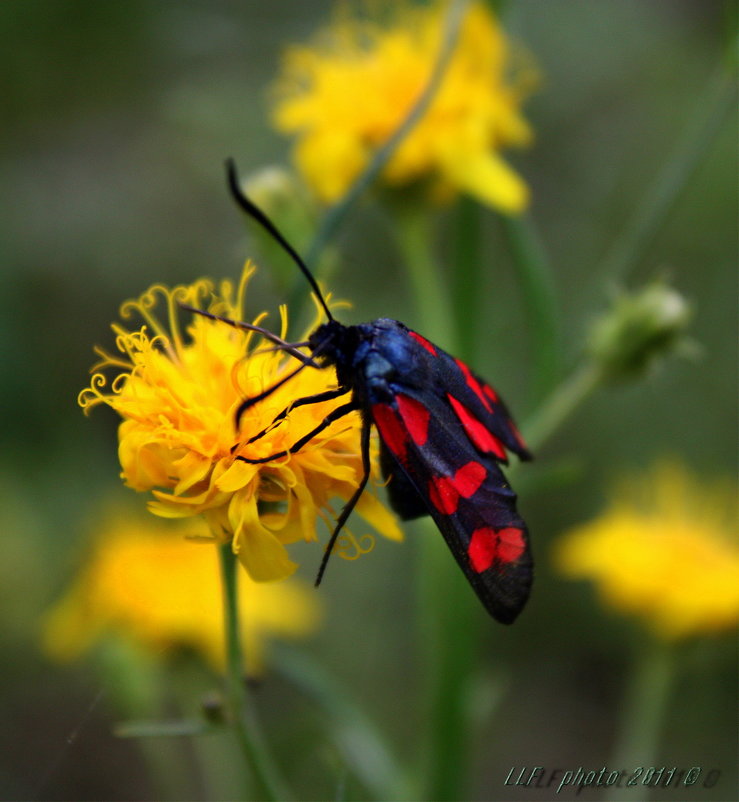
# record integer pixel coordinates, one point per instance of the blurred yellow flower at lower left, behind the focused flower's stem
(145, 582)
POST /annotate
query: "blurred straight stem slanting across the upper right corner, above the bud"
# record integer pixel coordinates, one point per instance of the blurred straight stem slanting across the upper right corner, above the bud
(714, 106)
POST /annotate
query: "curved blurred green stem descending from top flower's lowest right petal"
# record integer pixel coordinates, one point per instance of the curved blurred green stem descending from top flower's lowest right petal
(539, 300)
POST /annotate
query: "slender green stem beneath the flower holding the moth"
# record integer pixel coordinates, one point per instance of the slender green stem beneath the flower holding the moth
(269, 783)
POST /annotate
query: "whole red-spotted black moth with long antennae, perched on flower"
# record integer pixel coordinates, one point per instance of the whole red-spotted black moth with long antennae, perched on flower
(443, 434)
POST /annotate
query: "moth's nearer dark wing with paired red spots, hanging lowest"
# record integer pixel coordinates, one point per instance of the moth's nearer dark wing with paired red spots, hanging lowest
(435, 463)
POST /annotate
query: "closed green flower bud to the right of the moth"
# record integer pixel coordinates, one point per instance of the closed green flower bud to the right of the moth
(639, 328)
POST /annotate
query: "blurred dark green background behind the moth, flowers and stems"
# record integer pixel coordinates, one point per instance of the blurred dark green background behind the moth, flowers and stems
(116, 120)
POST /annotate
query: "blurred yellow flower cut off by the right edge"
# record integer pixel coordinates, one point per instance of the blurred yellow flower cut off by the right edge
(666, 550)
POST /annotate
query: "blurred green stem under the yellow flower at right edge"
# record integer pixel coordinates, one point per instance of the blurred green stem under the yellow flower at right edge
(645, 704)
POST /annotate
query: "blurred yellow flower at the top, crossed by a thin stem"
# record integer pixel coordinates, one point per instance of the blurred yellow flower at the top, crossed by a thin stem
(345, 96)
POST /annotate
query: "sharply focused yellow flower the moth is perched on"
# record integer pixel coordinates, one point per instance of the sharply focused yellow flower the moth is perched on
(178, 394)
